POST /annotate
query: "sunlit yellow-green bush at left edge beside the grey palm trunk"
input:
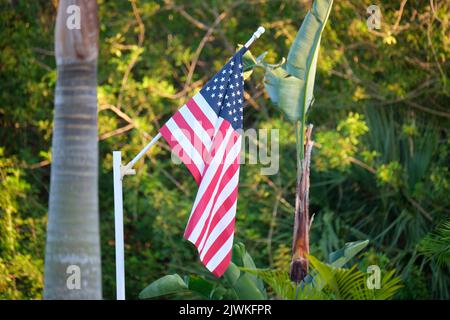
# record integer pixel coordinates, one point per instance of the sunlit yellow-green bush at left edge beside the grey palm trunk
(21, 237)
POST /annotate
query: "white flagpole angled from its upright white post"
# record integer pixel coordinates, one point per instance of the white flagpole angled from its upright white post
(119, 172)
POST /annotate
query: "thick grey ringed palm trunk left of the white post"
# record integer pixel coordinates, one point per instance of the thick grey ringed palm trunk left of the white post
(73, 222)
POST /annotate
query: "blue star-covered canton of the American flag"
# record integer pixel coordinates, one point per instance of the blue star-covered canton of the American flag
(225, 91)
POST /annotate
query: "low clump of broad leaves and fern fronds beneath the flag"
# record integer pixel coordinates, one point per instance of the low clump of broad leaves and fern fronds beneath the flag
(244, 281)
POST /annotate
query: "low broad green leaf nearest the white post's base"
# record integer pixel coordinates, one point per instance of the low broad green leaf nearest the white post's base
(166, 285)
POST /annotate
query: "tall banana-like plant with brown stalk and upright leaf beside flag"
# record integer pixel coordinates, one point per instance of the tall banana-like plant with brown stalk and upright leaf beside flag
(290, 86)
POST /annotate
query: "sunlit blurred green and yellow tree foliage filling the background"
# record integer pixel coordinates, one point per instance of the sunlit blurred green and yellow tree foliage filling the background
(379, 166)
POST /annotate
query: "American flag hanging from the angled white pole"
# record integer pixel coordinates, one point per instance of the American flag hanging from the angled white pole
(206, 135)
